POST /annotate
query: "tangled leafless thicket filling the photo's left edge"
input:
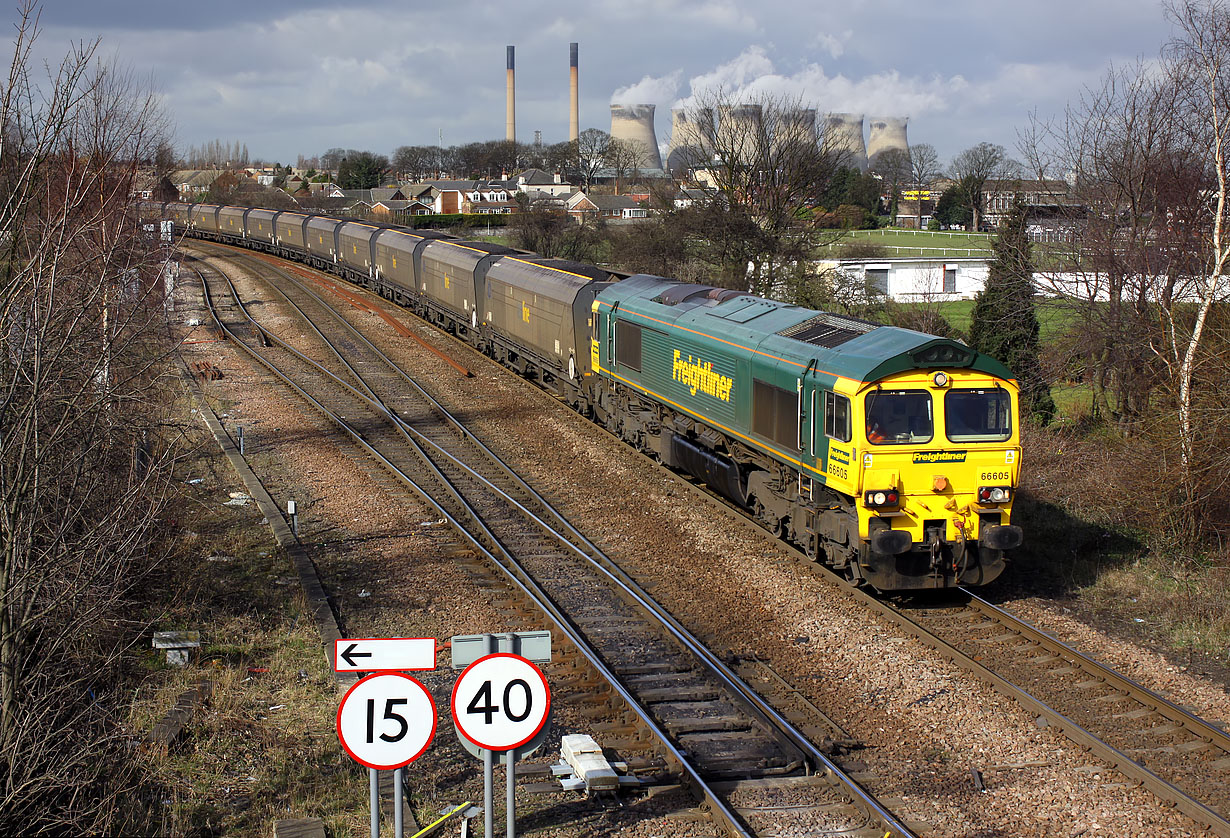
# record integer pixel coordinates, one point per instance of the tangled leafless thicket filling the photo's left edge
(83, 474)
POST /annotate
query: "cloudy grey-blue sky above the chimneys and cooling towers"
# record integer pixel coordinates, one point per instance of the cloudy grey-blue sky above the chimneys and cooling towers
(296, 78)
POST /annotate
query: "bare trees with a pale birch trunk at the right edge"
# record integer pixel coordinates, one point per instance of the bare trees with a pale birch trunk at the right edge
(1148, 156)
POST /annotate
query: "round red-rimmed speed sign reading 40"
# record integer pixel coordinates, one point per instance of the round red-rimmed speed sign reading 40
(501, 702)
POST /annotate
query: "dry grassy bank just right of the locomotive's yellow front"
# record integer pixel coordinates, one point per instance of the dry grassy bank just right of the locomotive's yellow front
(1095, 515)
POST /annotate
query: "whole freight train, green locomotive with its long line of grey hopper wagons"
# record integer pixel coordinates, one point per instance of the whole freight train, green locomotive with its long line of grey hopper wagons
(889, 455)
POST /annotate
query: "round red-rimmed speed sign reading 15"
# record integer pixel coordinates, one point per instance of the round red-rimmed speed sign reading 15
(387, 720)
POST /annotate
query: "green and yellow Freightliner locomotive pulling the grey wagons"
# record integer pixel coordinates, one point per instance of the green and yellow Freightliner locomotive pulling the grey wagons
(884, 452)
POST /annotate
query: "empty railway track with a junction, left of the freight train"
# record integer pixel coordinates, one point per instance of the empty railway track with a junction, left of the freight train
(710, 724)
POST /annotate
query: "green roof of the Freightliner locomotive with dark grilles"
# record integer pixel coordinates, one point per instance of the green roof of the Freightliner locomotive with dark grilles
(832, 344)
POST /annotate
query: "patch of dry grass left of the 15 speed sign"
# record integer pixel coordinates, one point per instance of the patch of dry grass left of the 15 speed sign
(265, 748)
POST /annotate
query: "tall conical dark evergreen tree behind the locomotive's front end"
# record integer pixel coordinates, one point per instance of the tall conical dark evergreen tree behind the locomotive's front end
(1004, 323)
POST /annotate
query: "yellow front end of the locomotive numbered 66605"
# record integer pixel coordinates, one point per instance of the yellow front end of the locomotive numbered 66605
(938, 467)
